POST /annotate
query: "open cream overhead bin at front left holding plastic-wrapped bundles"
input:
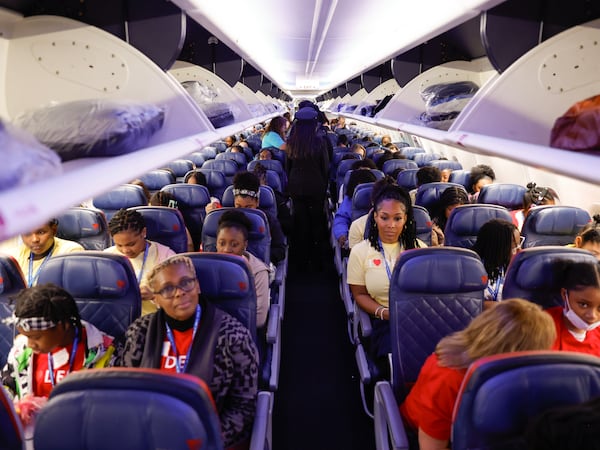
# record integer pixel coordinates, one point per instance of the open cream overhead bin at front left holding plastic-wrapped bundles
(51, 59)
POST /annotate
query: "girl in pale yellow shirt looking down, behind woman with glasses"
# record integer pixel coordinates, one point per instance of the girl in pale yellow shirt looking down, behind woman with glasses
(128, 231)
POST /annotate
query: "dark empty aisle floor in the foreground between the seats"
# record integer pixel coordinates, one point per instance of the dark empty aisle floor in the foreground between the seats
(318, 403)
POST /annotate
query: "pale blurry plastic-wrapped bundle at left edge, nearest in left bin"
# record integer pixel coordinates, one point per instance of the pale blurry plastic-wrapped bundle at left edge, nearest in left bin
(24, 160)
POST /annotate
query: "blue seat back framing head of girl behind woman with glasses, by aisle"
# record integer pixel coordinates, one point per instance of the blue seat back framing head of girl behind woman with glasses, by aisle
(259, 240)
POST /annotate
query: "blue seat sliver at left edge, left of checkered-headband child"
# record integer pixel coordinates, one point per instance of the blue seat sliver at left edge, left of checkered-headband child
(11, 283)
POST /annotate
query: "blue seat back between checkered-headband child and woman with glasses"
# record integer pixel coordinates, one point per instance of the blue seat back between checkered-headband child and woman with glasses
(104, 286)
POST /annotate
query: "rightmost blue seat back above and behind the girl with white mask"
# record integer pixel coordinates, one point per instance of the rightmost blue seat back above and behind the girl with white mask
(553, 225)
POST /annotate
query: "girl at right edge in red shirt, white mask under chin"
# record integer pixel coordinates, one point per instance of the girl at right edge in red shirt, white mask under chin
(577, 320)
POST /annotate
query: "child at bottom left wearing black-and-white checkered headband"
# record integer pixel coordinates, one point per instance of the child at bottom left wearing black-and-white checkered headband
(52, 342)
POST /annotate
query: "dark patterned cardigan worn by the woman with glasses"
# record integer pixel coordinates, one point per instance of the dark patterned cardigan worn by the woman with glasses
(223, 354)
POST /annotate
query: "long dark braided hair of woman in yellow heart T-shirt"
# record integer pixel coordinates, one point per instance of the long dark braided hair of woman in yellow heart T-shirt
(387, 189)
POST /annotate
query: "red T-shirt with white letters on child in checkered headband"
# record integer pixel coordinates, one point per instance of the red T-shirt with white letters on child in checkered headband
(41, 375)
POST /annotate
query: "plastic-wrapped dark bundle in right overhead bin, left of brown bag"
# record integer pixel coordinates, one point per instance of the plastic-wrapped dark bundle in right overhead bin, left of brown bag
(445, 98)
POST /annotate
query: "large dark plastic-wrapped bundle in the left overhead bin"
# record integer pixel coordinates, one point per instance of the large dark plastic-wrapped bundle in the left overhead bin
(93, 128)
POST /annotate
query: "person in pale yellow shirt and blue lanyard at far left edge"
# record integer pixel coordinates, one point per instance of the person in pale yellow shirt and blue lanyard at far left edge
(39, 245)
